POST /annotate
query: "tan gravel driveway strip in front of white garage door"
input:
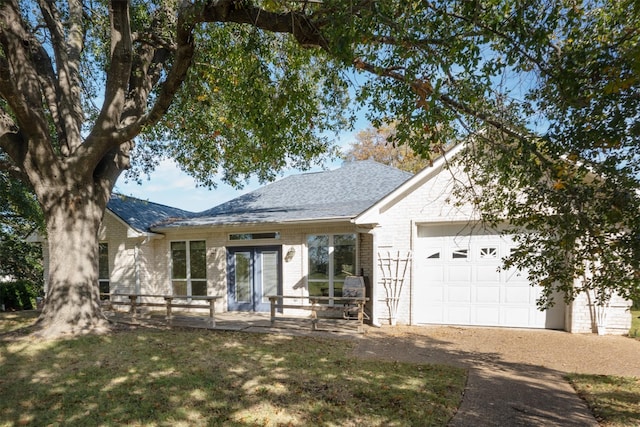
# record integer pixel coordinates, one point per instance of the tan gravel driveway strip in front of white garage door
(467, 346)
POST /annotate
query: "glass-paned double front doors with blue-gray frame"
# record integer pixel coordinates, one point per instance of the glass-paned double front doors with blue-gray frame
(254, 273)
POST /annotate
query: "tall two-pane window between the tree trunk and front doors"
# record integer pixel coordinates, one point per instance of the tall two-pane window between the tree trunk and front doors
(189, 268)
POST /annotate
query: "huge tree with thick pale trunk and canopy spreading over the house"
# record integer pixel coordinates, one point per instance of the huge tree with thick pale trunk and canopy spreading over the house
(240, 87)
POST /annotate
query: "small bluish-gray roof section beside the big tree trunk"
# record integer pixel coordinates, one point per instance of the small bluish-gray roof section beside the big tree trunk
(141, 214)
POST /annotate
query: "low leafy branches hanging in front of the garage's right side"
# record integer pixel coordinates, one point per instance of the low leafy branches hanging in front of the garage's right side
(576, 231)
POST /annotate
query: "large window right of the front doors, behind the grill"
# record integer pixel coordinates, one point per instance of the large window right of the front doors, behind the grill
(331, 259)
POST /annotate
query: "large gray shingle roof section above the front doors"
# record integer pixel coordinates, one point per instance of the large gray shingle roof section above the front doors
(340, 193)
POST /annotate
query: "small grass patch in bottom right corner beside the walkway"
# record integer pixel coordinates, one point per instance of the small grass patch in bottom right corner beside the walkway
(614, 401)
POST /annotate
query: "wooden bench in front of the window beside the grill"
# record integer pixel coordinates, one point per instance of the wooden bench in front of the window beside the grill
(352, 308)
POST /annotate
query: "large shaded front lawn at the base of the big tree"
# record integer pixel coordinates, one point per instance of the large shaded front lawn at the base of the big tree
(197, 377)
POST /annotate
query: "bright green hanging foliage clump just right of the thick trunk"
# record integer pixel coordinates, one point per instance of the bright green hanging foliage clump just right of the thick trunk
(253, 103)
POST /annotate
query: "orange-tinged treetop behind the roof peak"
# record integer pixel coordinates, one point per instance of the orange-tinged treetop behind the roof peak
(379, 145)
